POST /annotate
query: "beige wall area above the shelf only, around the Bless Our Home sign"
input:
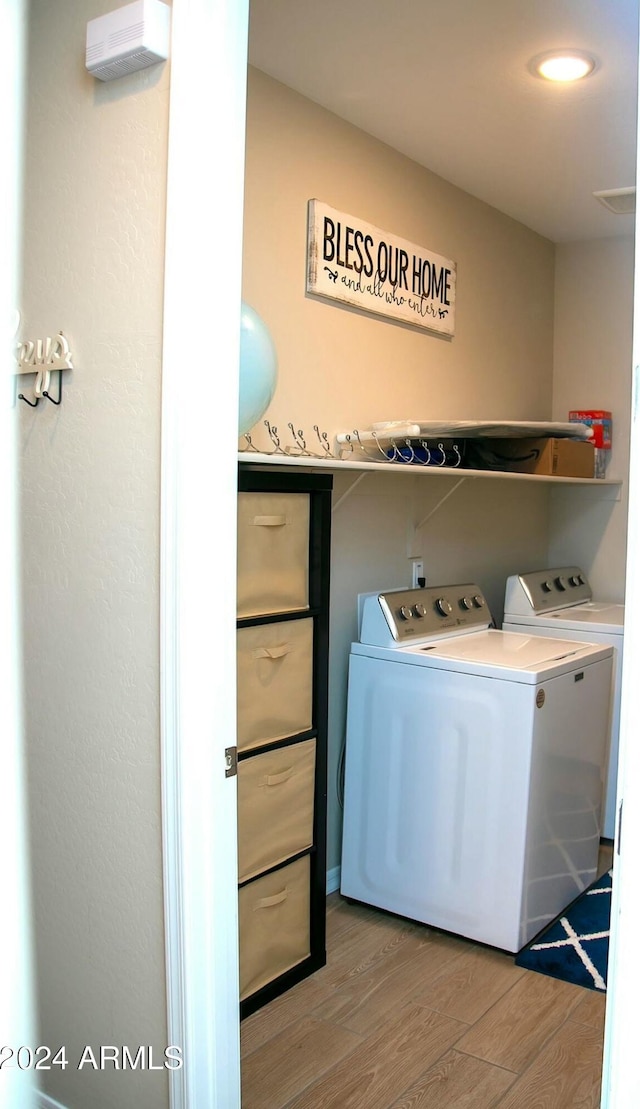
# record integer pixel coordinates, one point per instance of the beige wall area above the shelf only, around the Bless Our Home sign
(342, 369)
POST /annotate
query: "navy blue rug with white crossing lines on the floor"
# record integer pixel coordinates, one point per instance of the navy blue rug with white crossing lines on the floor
(576, 947)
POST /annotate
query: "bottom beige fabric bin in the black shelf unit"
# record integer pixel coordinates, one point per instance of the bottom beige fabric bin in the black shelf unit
(275, 925)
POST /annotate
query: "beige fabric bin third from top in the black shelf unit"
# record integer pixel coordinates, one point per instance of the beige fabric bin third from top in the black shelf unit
(276, 807)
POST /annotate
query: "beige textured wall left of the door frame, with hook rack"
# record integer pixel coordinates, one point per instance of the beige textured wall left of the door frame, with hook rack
(94, 268)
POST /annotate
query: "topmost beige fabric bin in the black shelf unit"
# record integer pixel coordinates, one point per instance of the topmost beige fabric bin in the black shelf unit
(272, 553)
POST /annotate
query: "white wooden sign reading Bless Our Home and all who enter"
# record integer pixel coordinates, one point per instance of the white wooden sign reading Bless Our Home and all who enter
(369, 269)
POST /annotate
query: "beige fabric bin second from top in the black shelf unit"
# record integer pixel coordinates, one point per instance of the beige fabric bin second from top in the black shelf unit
(275, 681)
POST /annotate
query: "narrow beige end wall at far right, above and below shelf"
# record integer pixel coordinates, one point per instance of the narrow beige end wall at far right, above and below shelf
(593, 364)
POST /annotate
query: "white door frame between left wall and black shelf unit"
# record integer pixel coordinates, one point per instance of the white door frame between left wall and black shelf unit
(201, 348)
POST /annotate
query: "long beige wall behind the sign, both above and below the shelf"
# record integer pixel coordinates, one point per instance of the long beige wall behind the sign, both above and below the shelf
(341, 369)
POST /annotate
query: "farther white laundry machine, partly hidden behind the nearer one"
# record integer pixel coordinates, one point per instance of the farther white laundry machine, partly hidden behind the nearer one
(560, 603)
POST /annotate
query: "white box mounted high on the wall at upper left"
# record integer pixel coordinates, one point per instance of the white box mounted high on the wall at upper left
(129, 39)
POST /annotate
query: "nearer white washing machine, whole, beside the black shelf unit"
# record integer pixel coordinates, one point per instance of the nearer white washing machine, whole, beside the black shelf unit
(474, 767)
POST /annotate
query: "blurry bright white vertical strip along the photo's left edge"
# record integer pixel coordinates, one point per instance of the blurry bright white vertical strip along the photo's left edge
(17, 1009)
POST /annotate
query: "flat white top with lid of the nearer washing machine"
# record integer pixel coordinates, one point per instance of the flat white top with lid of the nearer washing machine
(506, 655)
